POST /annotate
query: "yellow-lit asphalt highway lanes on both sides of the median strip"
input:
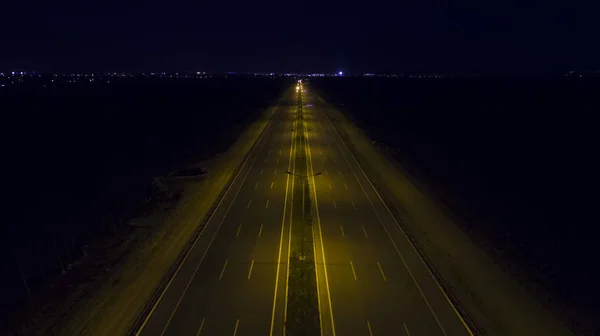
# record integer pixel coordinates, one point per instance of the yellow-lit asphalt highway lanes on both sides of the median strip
(370, 279)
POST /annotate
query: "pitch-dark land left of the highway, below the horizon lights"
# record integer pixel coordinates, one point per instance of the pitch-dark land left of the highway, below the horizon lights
(79, 161)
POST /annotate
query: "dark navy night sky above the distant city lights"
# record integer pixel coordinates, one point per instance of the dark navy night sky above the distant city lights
(399, 36)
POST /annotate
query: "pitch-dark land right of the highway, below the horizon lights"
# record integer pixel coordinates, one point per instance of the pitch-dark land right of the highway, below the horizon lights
(516, 161)
